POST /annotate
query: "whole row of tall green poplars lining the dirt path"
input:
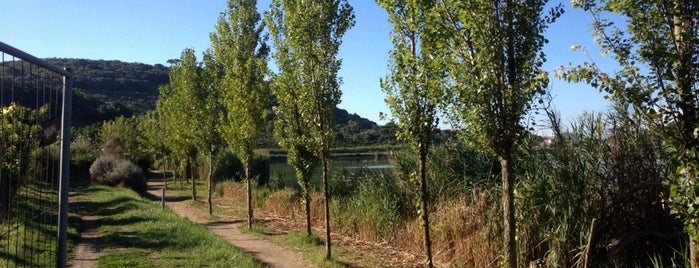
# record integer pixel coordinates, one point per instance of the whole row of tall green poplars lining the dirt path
(476, 63)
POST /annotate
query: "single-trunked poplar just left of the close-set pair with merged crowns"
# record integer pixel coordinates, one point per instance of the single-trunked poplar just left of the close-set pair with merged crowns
(240, 48)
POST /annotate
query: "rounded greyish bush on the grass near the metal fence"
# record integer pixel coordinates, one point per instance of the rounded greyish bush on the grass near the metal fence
(113, 171)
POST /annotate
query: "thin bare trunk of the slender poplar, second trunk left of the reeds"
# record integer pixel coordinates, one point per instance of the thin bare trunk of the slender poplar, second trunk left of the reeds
(424, 204)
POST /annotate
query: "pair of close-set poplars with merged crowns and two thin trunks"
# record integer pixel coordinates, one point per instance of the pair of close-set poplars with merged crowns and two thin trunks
(307, 38)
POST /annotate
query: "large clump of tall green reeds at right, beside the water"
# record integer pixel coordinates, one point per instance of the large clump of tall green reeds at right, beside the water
(604, 167)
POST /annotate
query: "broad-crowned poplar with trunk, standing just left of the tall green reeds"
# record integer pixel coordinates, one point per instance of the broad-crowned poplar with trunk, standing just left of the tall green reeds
(496, 49)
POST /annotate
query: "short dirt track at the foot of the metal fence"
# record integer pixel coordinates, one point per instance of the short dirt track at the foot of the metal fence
(89, 247)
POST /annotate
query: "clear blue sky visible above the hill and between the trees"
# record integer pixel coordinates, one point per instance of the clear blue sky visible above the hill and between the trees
(153, 31)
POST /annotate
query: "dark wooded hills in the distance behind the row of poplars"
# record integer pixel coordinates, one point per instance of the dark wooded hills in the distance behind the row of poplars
(106, 89)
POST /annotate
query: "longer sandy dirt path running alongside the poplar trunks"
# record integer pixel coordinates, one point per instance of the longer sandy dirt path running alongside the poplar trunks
(227, 228)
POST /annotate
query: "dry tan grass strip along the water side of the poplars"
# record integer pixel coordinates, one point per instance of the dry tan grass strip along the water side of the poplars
(462, 234)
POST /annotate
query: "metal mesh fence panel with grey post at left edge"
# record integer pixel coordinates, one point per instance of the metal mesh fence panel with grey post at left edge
(35, 98)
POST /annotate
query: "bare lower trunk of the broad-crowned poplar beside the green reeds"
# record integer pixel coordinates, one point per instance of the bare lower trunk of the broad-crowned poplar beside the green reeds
(508, 208)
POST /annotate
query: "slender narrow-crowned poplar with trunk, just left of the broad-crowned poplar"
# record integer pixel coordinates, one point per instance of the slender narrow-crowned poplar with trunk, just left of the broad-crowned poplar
(416, 86)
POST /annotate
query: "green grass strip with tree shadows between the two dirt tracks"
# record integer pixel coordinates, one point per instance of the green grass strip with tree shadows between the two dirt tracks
(139, 233)
